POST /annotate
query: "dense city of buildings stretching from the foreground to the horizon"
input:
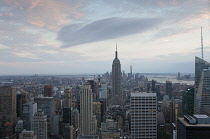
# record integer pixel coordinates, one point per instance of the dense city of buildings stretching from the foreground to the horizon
(113, 105)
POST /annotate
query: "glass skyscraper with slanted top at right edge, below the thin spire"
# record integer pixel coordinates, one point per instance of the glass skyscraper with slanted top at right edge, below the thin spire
(202, 83)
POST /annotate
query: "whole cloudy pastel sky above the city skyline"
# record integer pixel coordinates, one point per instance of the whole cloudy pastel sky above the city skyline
(80, 36)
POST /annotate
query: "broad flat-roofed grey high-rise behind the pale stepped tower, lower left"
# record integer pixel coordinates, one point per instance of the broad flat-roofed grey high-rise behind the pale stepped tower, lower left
(47, 104)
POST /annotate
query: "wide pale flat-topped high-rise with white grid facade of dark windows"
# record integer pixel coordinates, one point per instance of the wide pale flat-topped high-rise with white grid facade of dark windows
(143, 115)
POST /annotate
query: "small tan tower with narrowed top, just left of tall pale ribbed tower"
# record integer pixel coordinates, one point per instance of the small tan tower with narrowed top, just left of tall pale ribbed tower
(67, 98)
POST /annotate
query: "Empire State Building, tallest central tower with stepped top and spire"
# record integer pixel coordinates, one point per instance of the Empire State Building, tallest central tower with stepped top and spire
(116, 80)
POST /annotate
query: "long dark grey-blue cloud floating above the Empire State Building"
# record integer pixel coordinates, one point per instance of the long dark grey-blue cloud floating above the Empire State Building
(105, 29)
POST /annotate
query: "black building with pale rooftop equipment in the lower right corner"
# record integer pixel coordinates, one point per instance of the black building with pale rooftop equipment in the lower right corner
(193, 127)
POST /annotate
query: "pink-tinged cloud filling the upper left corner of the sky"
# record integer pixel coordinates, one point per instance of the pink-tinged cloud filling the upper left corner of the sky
(48, 14)
